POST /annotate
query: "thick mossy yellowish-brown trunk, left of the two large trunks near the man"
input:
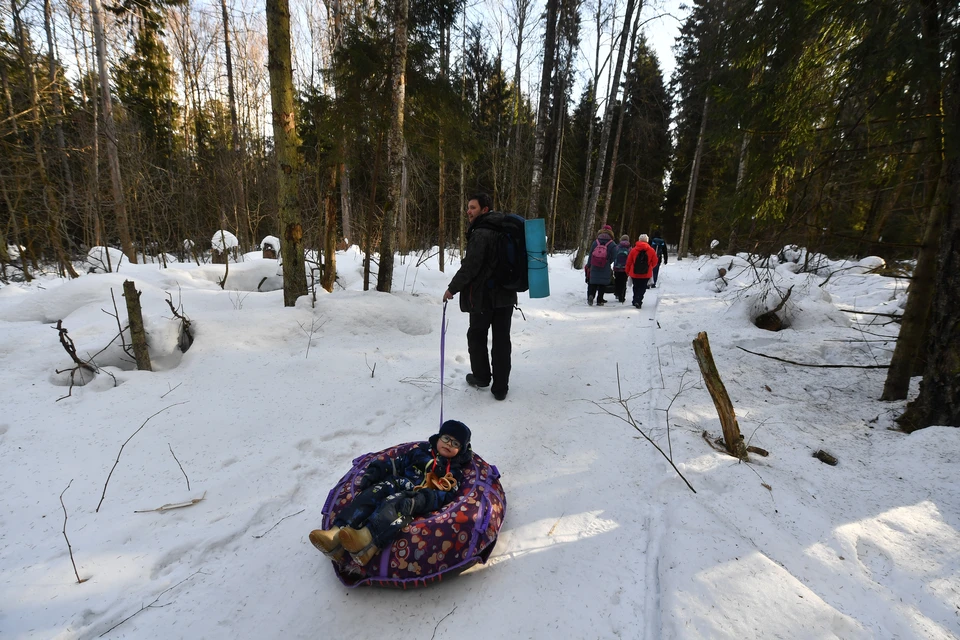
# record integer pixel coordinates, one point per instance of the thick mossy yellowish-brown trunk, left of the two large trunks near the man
(286, 143)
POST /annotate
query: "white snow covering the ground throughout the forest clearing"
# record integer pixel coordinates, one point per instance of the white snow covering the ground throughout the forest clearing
(601, 539)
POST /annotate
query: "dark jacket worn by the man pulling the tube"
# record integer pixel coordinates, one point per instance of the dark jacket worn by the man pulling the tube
(474, 280)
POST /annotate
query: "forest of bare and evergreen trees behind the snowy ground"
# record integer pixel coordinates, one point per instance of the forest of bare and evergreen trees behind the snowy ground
(149, 125)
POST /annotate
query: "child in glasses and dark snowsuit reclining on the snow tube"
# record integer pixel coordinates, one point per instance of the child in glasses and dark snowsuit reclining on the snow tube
(395, 491)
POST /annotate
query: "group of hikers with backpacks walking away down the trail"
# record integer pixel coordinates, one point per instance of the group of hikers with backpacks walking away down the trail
(610, 264)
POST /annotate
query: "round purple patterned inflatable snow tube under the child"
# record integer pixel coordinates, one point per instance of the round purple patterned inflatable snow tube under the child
(440, 544)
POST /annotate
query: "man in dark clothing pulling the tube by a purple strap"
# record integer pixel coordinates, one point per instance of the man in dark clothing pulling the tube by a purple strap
(489, 305)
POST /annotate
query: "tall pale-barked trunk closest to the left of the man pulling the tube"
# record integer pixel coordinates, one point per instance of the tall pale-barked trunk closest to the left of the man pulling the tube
(394, 146)
